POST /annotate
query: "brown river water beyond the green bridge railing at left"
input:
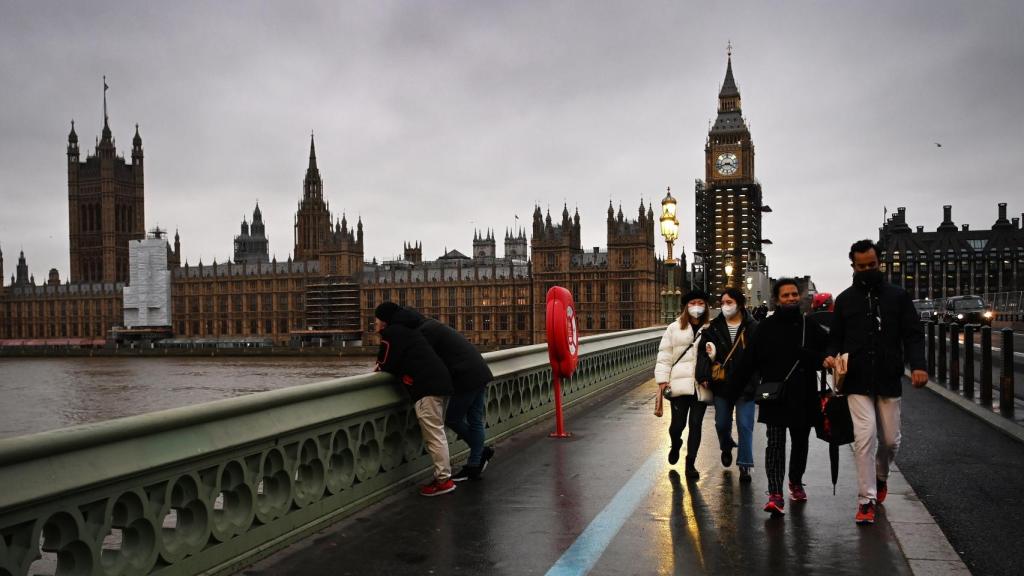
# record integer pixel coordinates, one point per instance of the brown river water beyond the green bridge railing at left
(44, 394)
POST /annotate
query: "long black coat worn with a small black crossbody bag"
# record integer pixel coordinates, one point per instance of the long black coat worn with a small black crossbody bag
(774, 351)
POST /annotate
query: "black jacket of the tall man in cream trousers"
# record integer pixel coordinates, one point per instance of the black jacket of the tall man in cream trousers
(877, 356)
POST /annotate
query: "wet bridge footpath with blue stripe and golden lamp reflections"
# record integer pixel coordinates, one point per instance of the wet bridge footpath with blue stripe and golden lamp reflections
(607, 502)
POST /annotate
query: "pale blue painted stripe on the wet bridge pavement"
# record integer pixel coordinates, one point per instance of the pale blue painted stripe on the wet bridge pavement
(590, 546)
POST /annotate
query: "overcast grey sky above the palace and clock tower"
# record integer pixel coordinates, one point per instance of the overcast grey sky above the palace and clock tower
(434, 119)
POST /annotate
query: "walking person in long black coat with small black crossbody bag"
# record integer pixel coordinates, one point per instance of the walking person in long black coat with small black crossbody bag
(788, 347)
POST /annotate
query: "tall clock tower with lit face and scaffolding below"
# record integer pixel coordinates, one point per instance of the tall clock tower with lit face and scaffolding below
(729, 200)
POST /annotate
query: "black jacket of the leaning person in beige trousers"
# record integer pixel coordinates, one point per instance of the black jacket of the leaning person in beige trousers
(406, 354)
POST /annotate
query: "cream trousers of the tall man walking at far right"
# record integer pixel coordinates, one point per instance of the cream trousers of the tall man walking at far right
(875, 419)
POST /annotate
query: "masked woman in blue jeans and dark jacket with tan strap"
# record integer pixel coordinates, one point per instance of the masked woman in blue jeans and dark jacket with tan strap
(728, 339)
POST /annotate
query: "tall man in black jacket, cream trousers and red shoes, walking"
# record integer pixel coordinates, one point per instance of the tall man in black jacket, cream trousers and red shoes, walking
(877, 325)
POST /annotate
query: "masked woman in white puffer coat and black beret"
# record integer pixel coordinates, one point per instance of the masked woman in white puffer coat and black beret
(675, 374)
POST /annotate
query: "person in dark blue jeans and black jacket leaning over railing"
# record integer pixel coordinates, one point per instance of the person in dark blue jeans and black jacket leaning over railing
(471, 376)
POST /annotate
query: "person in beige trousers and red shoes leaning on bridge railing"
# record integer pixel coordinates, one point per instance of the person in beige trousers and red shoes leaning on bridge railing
(406, 354)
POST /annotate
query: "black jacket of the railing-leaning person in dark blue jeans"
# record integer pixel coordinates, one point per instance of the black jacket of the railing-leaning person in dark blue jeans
(470, 372)
